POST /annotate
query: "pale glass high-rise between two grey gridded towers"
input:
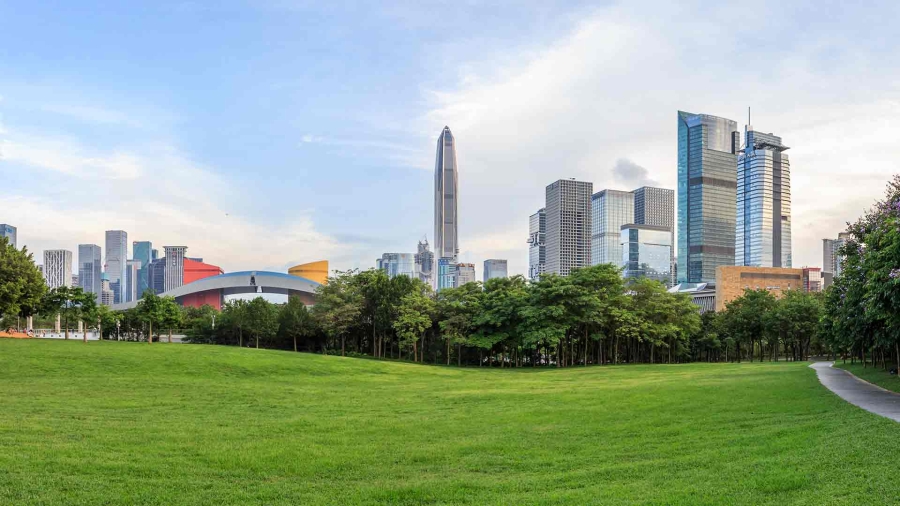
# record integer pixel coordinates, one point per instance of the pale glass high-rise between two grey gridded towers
(610, 210)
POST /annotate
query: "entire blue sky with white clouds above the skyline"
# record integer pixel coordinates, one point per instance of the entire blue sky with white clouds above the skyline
(262, 134)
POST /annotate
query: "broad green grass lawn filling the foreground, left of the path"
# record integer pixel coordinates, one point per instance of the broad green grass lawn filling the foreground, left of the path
(130, 423)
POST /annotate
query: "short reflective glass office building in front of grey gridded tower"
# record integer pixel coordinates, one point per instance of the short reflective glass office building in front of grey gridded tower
(647, 252)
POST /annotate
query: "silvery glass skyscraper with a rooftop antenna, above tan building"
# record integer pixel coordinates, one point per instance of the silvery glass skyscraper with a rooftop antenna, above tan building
(763, 226)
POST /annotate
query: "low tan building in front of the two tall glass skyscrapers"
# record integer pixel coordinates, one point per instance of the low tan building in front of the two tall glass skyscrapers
(731, 281)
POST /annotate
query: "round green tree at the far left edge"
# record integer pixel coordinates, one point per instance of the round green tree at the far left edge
(22, 286)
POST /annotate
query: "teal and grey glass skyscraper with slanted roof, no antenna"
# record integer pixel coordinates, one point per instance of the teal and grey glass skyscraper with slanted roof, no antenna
(707, 182)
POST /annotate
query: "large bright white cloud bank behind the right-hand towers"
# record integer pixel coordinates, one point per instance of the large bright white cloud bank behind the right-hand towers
(611, 88)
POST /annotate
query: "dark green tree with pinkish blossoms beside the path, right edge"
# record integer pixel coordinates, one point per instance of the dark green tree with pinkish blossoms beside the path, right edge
(863, 306)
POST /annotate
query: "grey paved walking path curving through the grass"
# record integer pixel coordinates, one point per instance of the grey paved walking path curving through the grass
(861, 393)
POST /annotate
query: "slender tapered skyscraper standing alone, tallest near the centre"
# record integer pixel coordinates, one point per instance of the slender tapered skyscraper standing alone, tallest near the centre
(445, 197)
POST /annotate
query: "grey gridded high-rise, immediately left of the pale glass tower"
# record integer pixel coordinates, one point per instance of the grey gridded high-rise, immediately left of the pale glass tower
(568, 239)
